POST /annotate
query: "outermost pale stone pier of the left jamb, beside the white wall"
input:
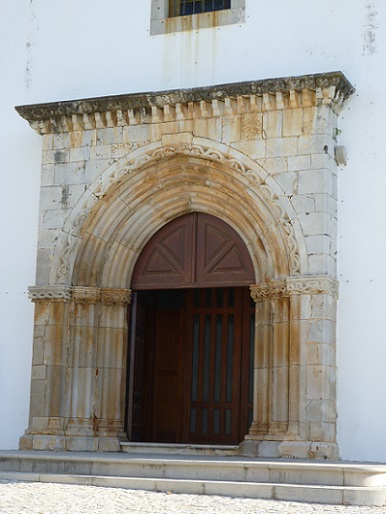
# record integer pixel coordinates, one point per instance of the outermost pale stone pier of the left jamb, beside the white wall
(49, 368)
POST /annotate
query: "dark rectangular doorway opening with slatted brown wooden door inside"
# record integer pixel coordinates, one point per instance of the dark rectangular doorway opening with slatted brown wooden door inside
(191, 366)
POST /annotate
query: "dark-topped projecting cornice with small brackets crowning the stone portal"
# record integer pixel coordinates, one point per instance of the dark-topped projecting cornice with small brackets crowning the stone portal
(156, 107)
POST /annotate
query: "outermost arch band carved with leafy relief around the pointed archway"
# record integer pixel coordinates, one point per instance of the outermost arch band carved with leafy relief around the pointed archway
(142, 158)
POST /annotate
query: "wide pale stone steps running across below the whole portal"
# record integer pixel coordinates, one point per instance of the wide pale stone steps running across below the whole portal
(320, 482)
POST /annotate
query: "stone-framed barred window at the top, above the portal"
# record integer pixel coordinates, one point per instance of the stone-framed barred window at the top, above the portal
(183, 15)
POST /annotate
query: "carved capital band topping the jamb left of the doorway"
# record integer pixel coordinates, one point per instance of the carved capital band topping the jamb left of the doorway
(79, 294)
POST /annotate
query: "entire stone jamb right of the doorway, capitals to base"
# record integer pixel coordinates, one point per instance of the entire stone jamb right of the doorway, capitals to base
(297, 441)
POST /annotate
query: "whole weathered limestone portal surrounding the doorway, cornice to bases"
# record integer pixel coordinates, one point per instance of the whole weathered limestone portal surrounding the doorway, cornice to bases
(258, 155)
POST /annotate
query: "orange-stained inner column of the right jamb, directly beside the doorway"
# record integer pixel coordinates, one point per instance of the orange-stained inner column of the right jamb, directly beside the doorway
(270, 415)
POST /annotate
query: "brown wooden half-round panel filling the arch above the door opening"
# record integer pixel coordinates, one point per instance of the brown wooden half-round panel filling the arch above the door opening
(196, 249)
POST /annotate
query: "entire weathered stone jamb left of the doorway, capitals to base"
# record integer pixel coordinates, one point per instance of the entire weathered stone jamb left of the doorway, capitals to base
(76, 378)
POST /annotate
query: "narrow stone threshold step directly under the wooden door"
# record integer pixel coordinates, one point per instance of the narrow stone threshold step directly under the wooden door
(179, 449)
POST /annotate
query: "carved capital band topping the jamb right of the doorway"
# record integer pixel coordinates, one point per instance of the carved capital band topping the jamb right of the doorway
(306, 285)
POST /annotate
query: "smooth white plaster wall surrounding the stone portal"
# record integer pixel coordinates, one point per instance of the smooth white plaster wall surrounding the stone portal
(64, 50)
